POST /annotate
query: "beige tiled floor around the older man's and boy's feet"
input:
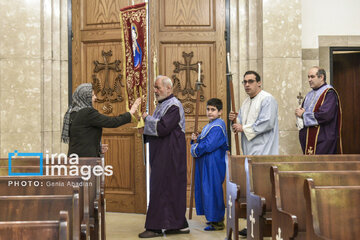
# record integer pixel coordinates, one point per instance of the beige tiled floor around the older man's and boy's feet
(128, 226)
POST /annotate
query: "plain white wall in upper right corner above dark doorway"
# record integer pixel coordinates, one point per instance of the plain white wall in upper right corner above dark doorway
(329, 17)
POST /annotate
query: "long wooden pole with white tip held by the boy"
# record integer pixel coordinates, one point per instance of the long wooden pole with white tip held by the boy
(192, 186)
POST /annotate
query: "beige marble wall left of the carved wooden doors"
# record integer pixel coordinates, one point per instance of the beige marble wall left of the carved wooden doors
(33, 75)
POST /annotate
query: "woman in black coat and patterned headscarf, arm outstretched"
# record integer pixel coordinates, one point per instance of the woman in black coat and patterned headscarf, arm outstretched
(83, 124)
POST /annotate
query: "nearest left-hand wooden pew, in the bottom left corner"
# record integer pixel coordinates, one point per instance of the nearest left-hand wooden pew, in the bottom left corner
(30, 230)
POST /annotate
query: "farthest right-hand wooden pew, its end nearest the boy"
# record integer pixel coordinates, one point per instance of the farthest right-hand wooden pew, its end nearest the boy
(236, 169)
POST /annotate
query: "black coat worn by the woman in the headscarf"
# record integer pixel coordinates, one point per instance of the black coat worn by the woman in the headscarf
(86, 130)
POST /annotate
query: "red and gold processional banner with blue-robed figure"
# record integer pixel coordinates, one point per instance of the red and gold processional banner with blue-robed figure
(134, 31)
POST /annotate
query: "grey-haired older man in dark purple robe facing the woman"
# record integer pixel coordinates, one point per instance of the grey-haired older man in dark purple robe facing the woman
(165, 132)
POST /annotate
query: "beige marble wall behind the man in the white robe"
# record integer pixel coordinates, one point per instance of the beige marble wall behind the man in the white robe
(266, 37)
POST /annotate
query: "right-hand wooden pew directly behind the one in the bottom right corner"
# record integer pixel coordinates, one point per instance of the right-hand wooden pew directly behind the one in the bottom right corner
(288, 202)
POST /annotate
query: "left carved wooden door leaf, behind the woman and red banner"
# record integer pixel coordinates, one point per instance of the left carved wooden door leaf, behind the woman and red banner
(96, 52)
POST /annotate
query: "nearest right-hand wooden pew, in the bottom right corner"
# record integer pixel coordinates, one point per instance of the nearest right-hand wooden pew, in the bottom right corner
(332, 212)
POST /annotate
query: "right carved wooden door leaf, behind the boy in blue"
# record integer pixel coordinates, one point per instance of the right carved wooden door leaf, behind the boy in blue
(183, 33)
